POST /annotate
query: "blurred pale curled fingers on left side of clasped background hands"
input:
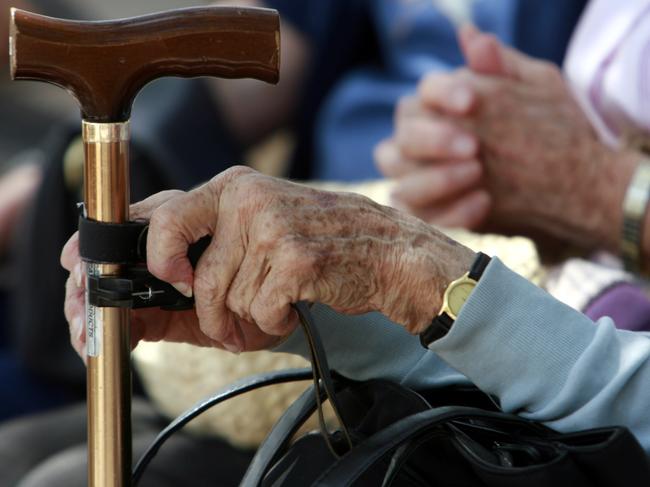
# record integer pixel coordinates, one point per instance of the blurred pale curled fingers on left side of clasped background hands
(434, 161)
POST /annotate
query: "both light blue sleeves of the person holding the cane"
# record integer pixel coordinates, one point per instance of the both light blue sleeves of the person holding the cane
(542, 359)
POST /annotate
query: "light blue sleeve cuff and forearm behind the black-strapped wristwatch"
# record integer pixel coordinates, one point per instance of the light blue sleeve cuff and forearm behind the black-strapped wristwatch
(548, 362)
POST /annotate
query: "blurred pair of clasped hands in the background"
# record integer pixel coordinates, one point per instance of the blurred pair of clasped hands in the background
(545, 173)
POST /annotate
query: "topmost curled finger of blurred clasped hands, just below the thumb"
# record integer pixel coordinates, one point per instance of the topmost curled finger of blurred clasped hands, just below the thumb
(450, 93)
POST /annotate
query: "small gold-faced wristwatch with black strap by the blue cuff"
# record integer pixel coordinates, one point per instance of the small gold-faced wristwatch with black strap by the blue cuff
(456, 294)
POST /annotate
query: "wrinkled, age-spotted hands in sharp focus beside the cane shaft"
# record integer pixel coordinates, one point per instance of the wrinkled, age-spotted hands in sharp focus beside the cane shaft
(275, 243)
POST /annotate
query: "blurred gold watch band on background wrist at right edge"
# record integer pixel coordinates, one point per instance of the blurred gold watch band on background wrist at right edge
(634, 210)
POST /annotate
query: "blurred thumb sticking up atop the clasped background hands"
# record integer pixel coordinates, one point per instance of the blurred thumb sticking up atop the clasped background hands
(485, 54)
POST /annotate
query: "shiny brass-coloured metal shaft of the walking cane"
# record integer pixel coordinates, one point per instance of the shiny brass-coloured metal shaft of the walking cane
(106, 197)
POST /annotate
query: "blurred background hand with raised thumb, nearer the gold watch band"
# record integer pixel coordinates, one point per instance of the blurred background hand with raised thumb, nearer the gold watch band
(544, 168)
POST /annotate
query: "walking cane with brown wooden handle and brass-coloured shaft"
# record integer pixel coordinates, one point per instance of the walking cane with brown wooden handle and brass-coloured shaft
(104, 65)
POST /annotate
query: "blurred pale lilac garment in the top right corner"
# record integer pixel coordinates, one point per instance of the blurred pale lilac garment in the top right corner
(608, 66)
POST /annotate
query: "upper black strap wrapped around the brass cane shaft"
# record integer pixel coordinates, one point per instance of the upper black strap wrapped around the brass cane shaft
(112, 243)
